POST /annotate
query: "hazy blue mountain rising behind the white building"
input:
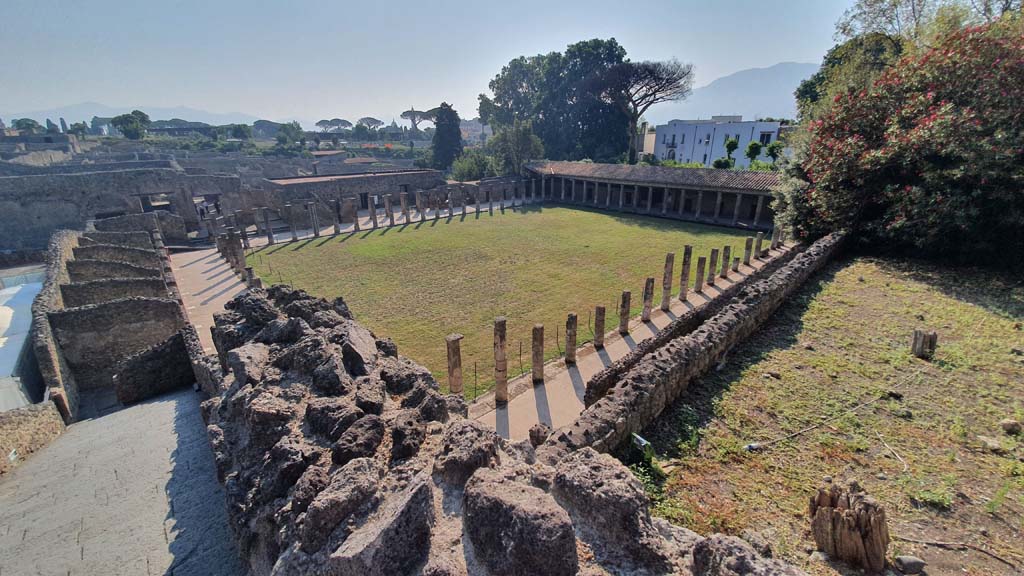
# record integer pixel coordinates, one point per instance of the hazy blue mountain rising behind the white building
(754, 93)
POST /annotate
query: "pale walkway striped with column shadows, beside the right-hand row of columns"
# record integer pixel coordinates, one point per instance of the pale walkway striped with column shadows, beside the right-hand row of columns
(560, 401)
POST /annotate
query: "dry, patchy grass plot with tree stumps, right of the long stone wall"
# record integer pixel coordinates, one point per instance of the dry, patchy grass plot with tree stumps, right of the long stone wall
(844, 341)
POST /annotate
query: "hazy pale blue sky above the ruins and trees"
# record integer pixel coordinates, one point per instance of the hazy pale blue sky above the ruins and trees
(283, 60)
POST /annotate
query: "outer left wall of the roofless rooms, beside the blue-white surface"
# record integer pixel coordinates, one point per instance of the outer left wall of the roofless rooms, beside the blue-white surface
(57, 377)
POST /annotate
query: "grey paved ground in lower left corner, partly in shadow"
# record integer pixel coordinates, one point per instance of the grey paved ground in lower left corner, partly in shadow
(133, 493)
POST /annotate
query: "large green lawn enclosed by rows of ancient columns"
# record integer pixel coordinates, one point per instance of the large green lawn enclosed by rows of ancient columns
(417, 284)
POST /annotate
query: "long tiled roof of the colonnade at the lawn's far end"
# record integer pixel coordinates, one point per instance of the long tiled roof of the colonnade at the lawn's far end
(712, 179)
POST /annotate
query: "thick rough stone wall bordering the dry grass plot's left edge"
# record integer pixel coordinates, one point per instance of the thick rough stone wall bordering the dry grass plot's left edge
(660, 379)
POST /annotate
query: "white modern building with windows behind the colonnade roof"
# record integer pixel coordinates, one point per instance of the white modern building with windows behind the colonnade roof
(704, 141)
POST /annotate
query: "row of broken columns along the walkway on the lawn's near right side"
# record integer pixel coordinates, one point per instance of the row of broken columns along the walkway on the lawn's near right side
(753, 249)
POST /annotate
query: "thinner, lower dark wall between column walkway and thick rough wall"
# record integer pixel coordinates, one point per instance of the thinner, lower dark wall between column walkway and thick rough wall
(600, 385)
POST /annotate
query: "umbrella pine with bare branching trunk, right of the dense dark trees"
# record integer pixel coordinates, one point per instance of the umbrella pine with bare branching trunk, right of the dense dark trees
(634, 88)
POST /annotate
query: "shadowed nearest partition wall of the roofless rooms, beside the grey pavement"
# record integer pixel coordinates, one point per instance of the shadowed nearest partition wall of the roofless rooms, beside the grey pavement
(160, 368)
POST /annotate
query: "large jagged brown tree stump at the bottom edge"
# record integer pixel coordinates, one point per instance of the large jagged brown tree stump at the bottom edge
(849, 525)
